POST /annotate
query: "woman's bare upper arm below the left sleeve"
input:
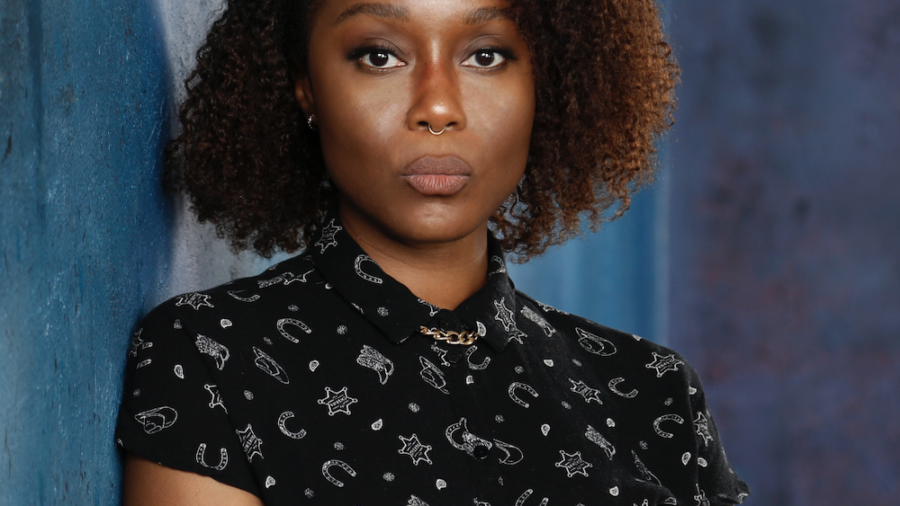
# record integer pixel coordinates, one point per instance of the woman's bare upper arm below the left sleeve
(150, 484)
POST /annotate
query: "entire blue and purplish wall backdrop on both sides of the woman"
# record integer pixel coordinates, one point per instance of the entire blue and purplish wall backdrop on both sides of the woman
(767, 253)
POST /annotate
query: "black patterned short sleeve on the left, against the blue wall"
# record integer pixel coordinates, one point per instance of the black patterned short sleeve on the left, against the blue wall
(172, 411)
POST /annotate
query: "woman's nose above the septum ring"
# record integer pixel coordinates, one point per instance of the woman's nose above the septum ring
(437, 101)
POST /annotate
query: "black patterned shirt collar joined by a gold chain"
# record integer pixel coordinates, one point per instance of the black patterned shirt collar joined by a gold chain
(393, 309)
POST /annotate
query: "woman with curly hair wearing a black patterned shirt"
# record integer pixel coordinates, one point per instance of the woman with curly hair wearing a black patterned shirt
(393, 362)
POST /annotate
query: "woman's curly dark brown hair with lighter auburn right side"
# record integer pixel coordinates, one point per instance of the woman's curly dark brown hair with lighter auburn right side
(604, 95)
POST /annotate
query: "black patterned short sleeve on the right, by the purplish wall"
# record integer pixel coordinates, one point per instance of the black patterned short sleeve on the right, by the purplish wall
(718, 484)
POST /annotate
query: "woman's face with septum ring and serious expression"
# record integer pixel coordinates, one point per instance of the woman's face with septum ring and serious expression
(381, 73)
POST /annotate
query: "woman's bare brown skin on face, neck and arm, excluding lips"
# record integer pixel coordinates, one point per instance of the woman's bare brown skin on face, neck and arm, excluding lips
(373, 112)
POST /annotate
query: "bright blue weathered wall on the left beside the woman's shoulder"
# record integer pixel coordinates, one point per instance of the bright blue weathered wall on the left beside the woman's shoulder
(84, 234)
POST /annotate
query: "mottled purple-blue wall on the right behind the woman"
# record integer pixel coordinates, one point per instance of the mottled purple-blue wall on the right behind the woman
(785, 264)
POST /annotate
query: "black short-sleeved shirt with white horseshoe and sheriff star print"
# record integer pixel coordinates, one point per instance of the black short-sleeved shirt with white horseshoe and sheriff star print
(311, 384)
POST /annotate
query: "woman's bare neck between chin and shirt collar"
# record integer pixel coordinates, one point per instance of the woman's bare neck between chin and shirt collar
(443, 274)
